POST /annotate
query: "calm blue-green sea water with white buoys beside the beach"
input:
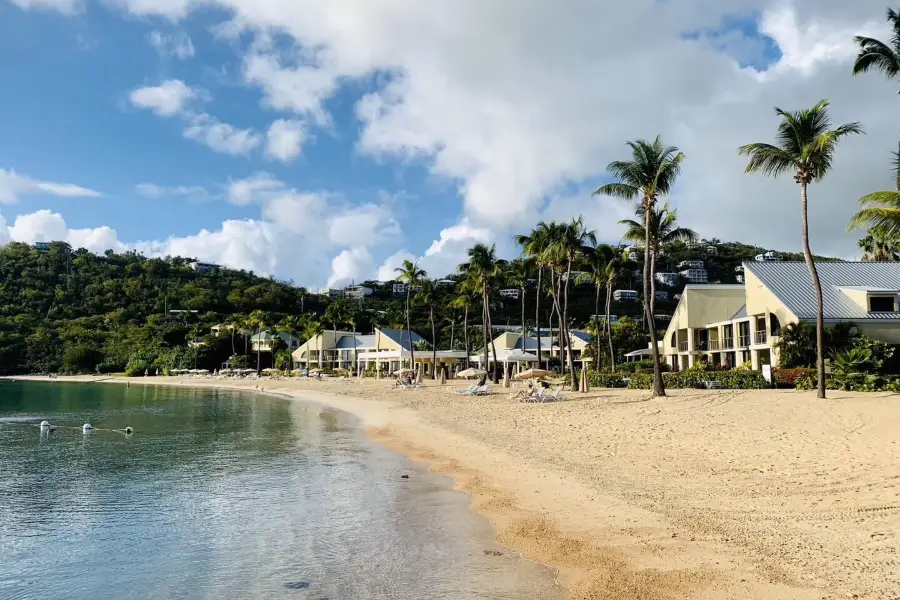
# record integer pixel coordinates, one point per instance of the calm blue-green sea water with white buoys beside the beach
(226, 495)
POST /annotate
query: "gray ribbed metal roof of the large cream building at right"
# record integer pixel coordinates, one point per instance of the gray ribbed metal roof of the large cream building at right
(791, 284)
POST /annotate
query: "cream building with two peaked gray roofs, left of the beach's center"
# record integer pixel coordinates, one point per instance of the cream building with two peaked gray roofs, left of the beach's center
(384, 350)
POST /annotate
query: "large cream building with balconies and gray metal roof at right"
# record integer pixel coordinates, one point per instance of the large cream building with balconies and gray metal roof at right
(735, 324)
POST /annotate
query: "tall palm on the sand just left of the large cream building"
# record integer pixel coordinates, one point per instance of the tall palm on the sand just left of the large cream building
(650, 174)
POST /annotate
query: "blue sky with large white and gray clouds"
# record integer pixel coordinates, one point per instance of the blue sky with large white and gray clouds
(326, 141)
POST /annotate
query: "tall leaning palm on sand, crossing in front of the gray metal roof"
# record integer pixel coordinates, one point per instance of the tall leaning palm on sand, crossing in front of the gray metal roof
(805, 145)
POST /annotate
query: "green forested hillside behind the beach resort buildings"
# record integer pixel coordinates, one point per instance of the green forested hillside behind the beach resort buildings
(67, 309)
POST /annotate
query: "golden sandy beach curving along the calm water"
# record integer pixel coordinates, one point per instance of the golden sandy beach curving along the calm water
(703, 495)
